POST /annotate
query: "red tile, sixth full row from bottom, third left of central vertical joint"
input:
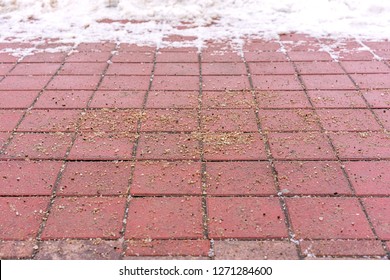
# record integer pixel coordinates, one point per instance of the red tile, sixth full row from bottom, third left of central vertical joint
(74, 83)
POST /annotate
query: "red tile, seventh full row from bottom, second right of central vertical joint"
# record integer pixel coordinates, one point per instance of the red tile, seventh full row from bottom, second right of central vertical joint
(271, 68)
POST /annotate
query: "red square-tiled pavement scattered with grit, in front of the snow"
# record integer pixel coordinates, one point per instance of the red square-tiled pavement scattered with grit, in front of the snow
(117, 151)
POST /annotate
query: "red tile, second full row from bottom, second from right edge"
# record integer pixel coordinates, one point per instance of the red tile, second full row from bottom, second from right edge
(311, 178)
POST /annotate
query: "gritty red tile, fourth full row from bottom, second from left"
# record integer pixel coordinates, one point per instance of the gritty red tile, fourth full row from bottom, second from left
(50, 121)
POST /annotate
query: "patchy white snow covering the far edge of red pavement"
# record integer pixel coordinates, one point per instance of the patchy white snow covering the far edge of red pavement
(148, 21)
